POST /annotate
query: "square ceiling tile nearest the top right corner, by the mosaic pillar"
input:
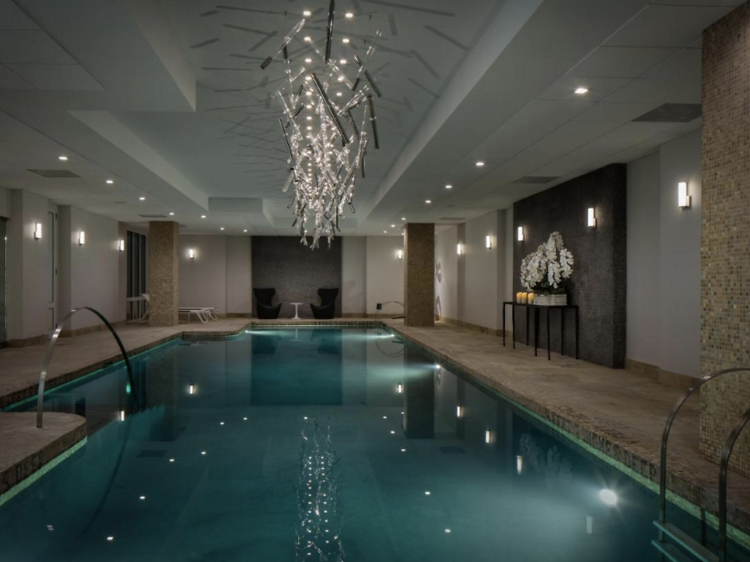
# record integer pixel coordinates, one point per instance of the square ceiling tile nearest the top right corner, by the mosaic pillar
(667, 26)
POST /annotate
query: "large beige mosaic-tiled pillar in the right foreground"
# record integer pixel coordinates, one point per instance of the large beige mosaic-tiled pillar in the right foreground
(725, 244)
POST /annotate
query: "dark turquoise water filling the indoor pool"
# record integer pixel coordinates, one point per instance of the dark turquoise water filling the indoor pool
(318, 444)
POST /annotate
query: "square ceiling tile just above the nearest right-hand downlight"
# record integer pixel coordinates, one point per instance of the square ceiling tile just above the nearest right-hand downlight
(621, 62)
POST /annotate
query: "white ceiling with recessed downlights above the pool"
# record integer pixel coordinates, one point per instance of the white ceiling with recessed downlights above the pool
(167, 98)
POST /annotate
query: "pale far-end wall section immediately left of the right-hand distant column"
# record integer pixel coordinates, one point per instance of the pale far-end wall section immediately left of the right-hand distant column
(385, 273)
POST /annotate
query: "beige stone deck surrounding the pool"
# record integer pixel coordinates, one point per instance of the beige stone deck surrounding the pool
(615, 412)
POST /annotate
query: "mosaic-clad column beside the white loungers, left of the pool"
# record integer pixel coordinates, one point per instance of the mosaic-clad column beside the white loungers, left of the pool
(163, 273)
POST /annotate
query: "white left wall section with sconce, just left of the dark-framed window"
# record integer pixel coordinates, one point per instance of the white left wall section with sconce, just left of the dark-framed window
(90, 274)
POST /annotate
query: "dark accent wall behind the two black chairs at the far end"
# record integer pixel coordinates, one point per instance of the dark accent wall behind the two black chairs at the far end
(296, 271)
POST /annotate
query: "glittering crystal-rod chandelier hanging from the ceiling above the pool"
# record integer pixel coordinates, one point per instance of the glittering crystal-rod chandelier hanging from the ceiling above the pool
(327, 147)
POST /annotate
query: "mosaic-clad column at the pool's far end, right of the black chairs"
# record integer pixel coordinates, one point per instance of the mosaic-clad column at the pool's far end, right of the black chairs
(419, 275)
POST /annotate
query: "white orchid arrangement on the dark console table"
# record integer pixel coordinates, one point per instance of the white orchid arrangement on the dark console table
(546, 269)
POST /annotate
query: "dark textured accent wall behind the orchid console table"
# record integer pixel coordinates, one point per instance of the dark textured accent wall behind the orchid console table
(597, 285)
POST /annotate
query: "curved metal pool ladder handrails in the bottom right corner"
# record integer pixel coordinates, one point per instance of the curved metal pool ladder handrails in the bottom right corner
(664, 528)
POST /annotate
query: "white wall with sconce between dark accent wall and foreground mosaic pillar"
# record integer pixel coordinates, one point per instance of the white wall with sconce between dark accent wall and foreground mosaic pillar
(664, 258)
